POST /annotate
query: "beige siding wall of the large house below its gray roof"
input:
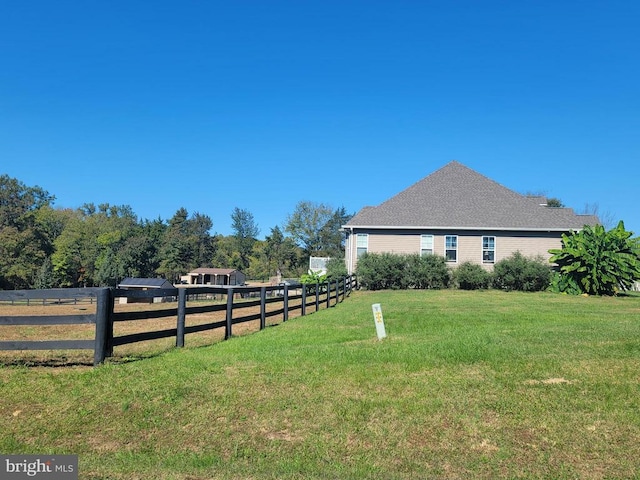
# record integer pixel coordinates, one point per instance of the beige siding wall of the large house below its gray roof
(530, 244)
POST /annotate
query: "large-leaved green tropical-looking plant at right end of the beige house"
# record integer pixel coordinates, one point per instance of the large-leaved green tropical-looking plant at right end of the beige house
(596, 261)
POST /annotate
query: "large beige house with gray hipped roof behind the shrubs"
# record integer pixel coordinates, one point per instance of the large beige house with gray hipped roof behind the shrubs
(463, 216)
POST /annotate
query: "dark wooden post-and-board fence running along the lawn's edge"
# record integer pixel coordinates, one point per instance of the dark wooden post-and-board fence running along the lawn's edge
(311, 298)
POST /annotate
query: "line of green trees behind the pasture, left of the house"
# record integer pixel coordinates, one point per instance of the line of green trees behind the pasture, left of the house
(42, 246)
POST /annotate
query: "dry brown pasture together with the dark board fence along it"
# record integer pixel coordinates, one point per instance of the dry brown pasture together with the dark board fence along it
(86, 326)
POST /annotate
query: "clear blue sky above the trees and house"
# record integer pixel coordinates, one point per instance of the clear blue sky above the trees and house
(212, 105)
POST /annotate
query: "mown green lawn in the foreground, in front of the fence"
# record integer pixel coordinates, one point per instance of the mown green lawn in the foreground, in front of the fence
(466, 385)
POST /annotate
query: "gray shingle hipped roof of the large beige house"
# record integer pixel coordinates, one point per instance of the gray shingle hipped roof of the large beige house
(456, 196)
